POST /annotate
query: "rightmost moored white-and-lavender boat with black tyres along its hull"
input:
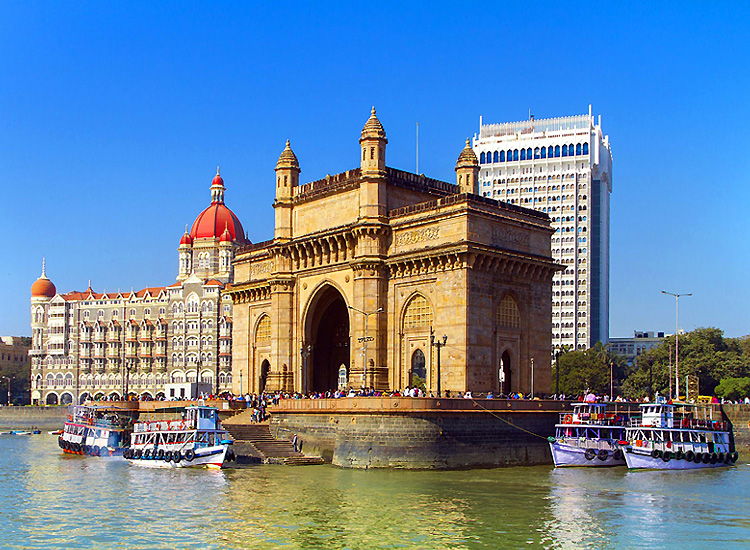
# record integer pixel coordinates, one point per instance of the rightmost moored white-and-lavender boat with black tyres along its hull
(680, 436)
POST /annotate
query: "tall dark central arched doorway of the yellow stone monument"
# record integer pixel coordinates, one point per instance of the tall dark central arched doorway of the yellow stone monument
(327, 330)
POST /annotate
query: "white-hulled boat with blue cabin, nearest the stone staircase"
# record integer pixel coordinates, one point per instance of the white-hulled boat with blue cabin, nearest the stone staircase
(193, 437)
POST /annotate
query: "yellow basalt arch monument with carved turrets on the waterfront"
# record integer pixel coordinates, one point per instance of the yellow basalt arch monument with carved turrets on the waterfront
(368, 265)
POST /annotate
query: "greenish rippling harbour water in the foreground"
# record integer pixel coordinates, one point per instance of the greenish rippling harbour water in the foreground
(51, 500)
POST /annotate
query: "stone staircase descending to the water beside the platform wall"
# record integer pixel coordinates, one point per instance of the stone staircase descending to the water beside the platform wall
(256, 442)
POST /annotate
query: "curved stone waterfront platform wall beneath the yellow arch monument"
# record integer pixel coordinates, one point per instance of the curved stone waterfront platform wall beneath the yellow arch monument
(420, 433)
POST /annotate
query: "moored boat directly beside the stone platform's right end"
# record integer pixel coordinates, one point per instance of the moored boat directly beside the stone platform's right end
(589, 436)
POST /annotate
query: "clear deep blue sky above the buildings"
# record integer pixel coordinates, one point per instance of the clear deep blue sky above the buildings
(114, 116)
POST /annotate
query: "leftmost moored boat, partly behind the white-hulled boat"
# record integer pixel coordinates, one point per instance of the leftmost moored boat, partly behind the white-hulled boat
(96, 430)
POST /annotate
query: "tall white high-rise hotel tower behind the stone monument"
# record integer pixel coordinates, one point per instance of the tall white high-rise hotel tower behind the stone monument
(563, 167)
